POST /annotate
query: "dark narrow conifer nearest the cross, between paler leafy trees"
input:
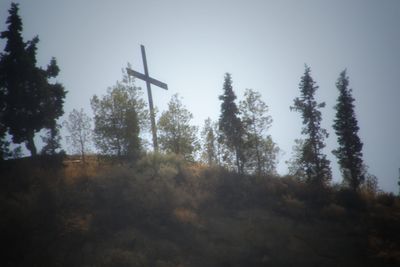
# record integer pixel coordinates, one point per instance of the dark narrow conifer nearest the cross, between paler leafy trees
(230, 124)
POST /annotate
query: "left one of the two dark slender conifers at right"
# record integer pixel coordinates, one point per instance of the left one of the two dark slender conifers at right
(313, 162)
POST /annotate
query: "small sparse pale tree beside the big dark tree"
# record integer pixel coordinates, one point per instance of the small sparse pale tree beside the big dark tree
(80, 129)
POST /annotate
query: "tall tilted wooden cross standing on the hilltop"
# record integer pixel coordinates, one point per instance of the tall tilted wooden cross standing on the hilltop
(146, 77)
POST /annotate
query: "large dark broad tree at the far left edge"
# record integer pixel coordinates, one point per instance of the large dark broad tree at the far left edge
(31, 101)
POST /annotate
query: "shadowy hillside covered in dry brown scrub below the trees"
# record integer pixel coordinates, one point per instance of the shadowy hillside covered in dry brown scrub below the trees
(162, 211)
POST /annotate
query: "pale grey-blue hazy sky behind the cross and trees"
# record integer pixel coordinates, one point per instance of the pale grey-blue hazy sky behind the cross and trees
(263, 44)
